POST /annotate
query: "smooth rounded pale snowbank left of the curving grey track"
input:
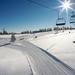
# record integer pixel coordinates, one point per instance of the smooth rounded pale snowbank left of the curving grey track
(13, 62)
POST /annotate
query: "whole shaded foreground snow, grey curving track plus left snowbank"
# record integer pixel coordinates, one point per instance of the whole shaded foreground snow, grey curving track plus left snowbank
(24, 58)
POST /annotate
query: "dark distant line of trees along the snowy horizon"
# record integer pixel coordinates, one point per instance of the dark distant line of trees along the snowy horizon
(38, 31)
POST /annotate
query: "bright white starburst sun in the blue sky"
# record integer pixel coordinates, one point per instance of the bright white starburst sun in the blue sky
(65, 5)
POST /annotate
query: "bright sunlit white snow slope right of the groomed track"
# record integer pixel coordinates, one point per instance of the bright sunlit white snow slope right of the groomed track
(60, 45)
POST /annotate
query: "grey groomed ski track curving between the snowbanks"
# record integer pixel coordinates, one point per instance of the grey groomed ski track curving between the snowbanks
(41, 63)
